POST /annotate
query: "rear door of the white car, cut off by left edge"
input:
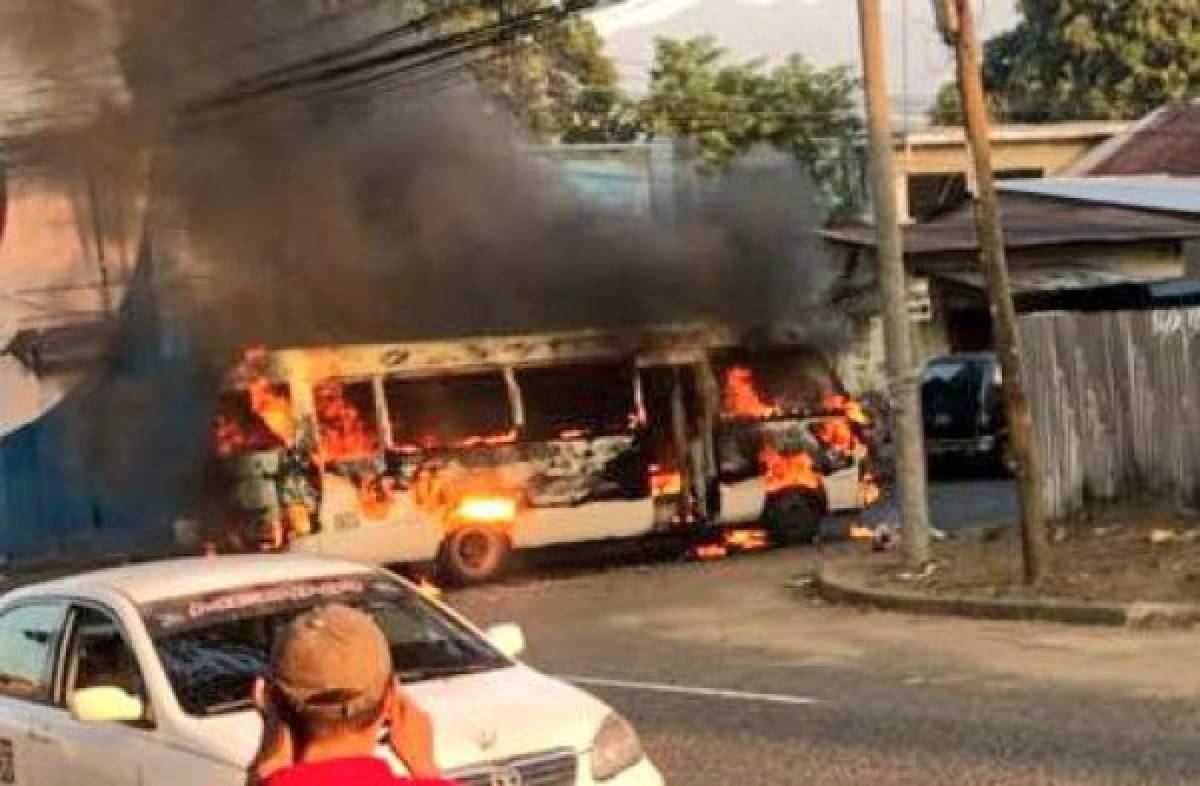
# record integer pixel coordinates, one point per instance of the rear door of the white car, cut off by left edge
(31, 634)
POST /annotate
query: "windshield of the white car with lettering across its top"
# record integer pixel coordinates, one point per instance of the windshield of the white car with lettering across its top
(213, 647)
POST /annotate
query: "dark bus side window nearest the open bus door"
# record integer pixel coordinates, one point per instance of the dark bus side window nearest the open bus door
(565, 401)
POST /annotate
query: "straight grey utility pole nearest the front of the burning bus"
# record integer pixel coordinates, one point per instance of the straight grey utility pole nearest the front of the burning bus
(895, 291)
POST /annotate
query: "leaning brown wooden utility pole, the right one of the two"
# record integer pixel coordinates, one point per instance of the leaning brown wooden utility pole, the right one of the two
(956, 20)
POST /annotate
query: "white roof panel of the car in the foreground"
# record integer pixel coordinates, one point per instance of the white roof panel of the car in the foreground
(149, 583)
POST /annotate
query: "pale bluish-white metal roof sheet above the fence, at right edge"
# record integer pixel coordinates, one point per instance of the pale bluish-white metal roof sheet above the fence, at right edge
(1153, 193)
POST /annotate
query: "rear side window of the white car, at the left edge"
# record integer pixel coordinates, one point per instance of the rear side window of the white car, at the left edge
(29, 639)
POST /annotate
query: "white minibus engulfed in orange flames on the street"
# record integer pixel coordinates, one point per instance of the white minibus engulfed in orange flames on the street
(461, 452)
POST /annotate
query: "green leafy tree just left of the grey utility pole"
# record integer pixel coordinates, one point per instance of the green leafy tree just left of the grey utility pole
(725, 110)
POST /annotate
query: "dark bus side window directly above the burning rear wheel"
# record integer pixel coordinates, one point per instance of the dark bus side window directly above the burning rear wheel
(457, 411)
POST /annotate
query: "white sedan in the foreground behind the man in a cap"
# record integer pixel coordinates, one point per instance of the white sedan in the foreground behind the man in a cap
(140, 676)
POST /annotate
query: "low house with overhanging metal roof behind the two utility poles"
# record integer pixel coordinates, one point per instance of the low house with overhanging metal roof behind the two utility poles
(1060, 236)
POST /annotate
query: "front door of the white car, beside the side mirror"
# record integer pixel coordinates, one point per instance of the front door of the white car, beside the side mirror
(97, 655)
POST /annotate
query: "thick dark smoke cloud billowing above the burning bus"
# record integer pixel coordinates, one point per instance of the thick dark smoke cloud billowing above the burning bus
(347, 218)
